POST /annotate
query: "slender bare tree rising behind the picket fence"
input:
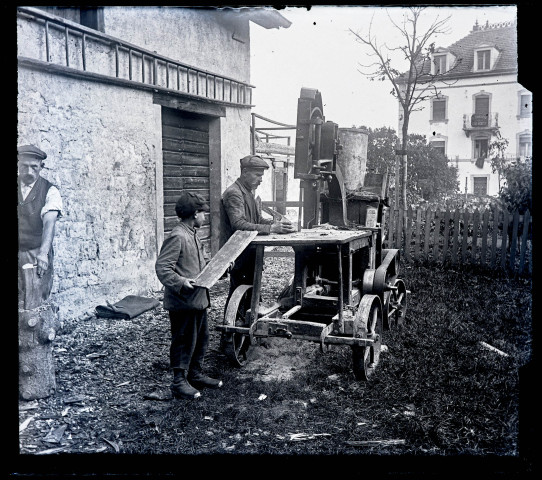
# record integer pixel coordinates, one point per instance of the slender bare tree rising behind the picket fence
(416, 84)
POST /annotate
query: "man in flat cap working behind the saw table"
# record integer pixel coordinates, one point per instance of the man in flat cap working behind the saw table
(243, 212)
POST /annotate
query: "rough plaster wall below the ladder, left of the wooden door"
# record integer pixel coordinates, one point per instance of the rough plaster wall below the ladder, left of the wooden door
(102, 146)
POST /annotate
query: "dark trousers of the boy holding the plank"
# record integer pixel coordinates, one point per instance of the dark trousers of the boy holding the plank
(189, 339)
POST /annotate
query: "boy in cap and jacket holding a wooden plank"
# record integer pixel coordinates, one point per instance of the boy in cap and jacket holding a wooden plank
(179, 262)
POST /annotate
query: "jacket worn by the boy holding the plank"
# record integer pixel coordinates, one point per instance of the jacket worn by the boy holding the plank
(181, 257)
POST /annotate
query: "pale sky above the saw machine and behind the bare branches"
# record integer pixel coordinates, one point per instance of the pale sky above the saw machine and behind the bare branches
(319, 51)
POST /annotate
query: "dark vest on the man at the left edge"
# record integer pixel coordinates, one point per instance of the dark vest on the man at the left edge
(29, 212)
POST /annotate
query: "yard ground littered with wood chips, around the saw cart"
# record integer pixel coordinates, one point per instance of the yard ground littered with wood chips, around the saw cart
(113, 380)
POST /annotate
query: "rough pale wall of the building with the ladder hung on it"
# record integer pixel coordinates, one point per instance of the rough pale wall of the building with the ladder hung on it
(105, 152)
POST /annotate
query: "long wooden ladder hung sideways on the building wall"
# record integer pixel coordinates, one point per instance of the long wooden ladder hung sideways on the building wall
(69, 48)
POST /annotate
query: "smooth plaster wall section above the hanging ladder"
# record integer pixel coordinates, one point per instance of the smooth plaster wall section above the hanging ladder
(188, 35)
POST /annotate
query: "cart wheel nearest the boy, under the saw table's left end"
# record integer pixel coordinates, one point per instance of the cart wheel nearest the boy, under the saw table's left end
(235, 345)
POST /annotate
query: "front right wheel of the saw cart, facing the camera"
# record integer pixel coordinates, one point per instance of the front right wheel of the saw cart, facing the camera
(367, 324)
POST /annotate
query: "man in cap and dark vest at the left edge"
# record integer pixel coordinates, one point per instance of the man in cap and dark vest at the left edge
(39, 207)
